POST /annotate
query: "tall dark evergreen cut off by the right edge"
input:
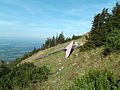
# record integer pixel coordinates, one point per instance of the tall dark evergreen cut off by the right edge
(113, 38)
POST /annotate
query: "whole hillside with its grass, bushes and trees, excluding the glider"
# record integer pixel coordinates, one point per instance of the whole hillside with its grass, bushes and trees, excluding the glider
(90, 67)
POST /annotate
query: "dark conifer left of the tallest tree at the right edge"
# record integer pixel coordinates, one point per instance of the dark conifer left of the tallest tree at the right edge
(99, 32)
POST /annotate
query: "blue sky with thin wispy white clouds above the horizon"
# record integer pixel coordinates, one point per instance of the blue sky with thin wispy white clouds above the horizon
(45, 18)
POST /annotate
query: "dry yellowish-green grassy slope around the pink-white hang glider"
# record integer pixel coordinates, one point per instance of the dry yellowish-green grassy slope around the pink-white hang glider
(74, 66)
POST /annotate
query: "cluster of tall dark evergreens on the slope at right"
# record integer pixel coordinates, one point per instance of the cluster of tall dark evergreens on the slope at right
(105, 31)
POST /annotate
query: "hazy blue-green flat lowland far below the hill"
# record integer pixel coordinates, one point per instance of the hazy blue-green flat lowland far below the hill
(10, 49)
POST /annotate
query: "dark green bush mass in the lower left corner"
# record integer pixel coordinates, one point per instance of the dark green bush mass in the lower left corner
(24, 75)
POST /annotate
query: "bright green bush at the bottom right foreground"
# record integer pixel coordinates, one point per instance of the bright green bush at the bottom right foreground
(96, 80)
